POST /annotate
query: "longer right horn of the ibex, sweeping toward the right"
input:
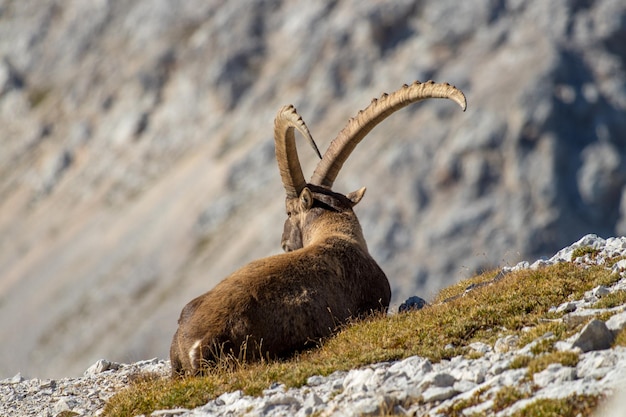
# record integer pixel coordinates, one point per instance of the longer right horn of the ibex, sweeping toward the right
(360, 125)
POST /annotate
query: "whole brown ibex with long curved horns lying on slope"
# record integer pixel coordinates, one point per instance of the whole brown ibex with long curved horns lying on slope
(275, 306)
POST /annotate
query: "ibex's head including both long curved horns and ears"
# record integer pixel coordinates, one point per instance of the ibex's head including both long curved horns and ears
(303, 198)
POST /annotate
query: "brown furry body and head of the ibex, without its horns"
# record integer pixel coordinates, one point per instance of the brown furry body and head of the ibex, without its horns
(275, 306)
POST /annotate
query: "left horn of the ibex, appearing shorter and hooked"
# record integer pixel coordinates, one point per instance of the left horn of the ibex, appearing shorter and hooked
(287, 119)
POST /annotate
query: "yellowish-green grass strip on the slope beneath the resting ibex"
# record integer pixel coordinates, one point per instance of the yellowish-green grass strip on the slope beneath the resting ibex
(518, 301)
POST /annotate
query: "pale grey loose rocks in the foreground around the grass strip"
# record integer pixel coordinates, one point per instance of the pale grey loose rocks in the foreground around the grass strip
(492, 379)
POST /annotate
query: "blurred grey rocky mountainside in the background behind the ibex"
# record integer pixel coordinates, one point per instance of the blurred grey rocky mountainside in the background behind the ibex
(137, 164)
